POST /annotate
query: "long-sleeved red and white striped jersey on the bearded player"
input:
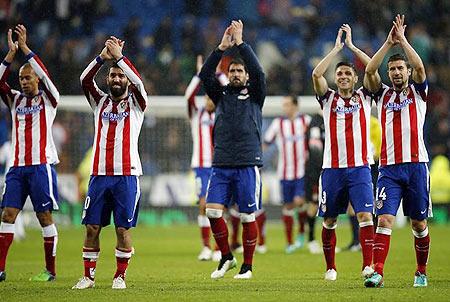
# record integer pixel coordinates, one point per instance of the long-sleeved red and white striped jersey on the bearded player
(117, 124)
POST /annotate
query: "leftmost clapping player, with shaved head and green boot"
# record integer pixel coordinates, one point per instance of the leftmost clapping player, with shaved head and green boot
(34, 153)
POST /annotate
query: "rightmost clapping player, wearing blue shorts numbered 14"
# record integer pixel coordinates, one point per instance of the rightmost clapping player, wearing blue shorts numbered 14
(403, 172)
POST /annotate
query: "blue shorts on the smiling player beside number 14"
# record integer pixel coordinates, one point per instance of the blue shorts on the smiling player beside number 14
(340, 186)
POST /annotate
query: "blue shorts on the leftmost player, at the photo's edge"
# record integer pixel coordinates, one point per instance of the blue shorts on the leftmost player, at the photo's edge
(37, 181)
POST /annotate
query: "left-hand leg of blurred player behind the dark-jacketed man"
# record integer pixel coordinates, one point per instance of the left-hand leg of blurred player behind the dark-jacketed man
(201, 181)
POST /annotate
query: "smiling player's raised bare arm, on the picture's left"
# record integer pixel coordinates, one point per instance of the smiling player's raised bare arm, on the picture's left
(319, 82)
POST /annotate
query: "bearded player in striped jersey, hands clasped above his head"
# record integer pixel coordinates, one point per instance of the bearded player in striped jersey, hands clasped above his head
(114, 184)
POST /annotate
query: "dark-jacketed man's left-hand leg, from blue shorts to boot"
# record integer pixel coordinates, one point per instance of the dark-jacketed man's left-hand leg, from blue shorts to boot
(218, 195)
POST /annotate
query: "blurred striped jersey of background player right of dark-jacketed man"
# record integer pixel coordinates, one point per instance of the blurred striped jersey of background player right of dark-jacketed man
(291, 140)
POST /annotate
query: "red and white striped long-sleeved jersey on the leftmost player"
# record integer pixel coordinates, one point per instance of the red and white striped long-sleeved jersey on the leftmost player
(32, 117)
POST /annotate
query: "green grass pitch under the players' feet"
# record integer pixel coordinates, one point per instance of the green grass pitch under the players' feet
(165, 268)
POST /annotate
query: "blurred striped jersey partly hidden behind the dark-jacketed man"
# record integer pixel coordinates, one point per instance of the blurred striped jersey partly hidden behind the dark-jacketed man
(202, 124)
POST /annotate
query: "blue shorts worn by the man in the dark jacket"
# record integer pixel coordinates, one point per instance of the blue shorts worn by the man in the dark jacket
(242, 185)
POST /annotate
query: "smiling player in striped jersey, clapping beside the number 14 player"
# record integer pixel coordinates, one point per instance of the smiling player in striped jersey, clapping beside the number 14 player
(347, 155)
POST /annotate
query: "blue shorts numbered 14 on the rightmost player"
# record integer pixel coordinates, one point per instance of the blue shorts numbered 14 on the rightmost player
(408, 181)
